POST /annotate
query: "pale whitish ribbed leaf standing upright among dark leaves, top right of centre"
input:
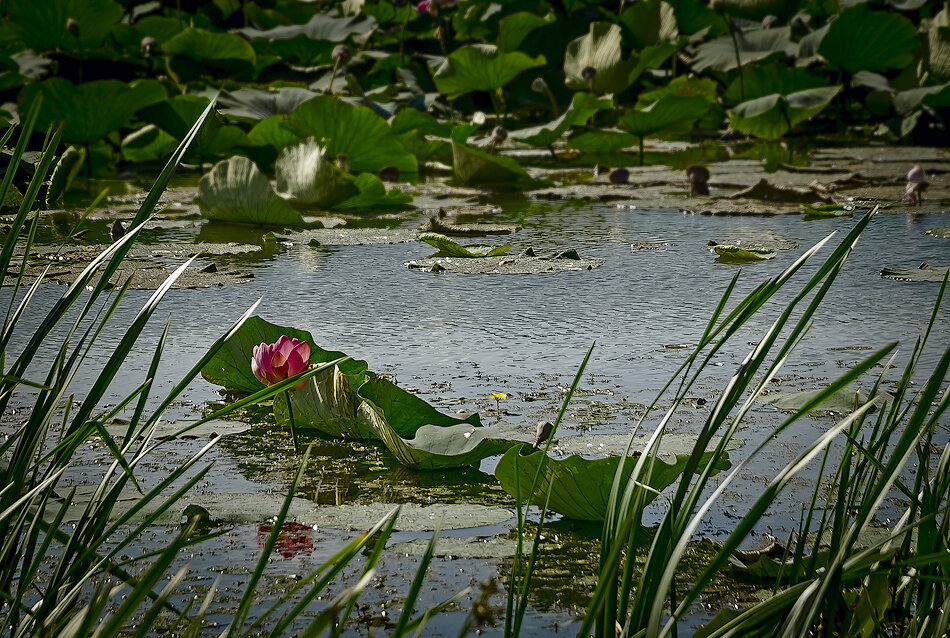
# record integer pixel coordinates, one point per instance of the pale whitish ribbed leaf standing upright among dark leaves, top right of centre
(600, 49)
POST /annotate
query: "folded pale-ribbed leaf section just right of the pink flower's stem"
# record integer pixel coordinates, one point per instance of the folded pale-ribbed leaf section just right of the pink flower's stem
(328, 404)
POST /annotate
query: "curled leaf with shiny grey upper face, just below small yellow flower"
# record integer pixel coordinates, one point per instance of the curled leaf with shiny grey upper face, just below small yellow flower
(440, 447)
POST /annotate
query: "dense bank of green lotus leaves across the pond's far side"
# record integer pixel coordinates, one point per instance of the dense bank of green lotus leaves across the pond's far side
(386, 88)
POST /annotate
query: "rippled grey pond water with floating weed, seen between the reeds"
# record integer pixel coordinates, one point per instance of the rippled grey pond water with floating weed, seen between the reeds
(455, 339)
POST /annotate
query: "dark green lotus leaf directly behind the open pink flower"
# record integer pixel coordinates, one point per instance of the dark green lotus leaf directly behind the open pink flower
(231, 366)
